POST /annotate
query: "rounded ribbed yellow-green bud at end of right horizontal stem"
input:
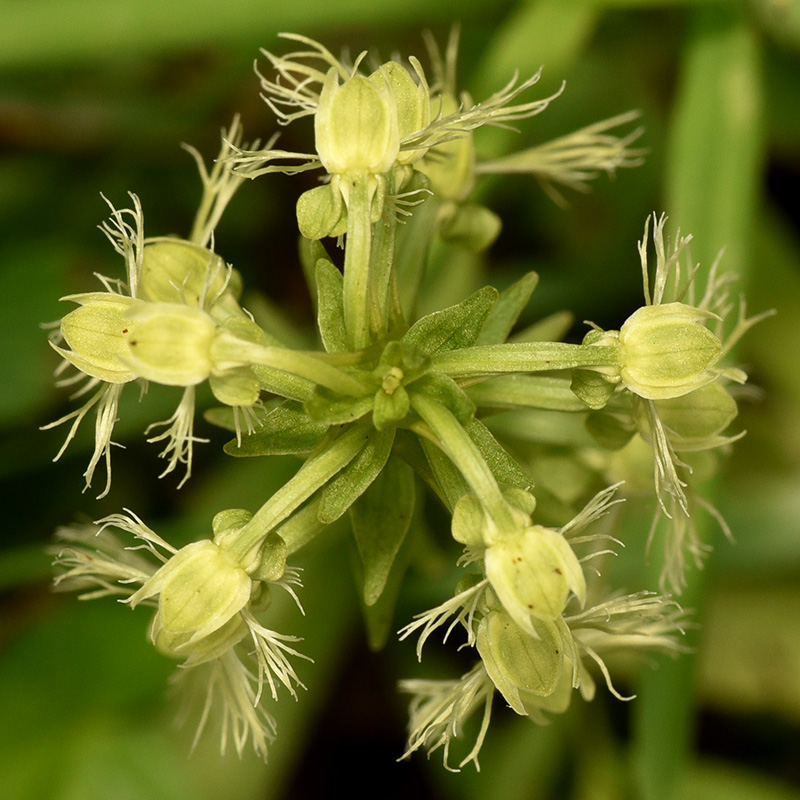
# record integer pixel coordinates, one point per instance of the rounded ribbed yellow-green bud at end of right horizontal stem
(666, 351)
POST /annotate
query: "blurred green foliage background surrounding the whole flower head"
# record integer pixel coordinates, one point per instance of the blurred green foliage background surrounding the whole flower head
(96, 95)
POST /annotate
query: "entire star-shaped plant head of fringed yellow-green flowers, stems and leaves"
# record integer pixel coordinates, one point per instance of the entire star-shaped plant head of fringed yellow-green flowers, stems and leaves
(392, 400)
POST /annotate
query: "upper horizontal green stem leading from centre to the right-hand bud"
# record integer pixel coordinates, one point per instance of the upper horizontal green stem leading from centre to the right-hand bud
(524, 357)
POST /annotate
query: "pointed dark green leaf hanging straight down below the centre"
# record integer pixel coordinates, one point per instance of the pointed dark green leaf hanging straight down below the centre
(381, 518)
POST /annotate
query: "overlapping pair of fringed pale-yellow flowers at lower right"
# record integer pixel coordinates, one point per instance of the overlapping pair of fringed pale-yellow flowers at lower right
(527, 617)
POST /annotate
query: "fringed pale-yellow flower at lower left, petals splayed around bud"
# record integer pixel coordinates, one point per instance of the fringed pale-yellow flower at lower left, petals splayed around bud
(206, 613)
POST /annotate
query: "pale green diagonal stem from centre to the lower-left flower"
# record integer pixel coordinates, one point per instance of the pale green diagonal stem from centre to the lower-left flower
(313, 475)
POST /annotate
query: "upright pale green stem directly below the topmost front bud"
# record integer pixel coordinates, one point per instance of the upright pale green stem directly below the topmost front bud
(357, 260)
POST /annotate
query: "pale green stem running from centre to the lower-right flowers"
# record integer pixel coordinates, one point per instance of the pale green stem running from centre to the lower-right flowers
(462, 451)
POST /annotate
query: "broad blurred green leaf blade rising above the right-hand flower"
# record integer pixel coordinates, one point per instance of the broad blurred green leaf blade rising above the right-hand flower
(716, 149)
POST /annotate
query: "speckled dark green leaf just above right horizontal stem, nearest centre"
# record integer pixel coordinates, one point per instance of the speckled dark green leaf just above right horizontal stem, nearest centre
(455, 327)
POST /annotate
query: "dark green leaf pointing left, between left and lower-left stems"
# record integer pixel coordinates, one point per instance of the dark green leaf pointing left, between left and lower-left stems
(286, 430)
